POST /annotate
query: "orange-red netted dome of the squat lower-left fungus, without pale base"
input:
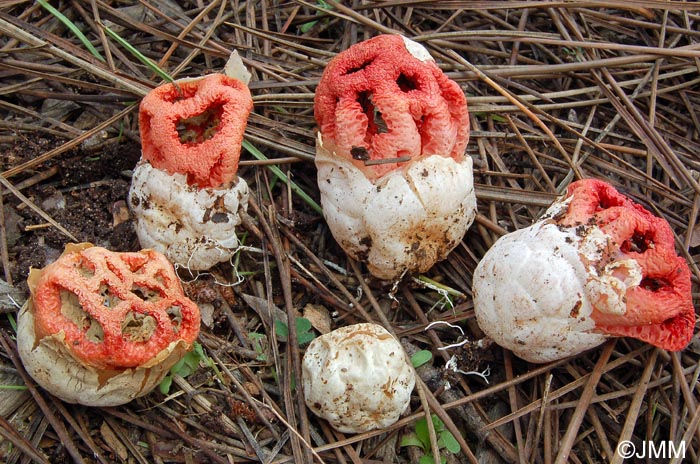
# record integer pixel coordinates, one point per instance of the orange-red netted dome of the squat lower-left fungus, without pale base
(117, 310)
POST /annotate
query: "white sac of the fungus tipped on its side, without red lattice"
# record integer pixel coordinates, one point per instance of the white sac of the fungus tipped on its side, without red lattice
(535, 289)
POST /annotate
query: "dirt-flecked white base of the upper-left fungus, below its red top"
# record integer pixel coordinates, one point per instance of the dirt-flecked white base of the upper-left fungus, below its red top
(193, 227)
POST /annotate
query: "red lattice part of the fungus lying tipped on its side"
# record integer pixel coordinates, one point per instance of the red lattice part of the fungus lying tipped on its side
(660, 309)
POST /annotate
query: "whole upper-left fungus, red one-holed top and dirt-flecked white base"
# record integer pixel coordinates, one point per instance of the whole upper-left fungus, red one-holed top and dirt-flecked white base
(185, 192)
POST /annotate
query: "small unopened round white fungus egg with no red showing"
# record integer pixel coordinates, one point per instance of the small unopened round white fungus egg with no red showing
(357, 378)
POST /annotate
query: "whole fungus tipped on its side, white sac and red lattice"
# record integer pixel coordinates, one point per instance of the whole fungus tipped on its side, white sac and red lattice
(595, 265)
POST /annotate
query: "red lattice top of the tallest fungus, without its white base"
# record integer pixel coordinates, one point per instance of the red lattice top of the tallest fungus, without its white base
(378, 101)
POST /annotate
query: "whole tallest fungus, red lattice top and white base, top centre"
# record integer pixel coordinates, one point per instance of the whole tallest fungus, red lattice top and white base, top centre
(396, 186)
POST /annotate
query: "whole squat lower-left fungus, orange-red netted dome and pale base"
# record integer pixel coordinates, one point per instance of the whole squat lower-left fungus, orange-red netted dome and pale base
(102, 328)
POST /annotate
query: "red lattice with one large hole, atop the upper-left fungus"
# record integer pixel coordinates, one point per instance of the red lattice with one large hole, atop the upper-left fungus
(195, 127)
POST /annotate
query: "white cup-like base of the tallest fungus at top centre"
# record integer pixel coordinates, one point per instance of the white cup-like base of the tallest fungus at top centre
(405, 221)
